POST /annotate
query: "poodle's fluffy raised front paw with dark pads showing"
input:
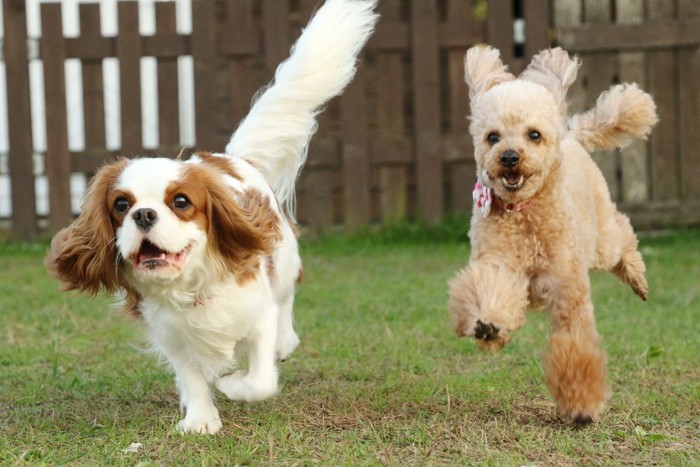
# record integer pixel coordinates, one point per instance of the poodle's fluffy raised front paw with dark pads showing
(488, 302)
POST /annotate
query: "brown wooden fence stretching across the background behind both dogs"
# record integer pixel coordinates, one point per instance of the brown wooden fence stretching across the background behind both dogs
(395, 145)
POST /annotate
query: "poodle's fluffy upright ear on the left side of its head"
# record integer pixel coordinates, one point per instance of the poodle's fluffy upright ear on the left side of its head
(483, 69)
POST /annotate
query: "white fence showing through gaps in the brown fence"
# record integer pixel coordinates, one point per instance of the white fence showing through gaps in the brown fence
(76, 138)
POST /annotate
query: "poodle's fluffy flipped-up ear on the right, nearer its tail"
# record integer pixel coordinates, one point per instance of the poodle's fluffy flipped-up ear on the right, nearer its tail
(556, 71)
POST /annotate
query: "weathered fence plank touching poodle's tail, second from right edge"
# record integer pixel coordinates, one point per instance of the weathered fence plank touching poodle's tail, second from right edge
(665, 170)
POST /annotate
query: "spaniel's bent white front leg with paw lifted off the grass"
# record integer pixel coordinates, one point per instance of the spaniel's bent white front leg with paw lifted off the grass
(260, 381)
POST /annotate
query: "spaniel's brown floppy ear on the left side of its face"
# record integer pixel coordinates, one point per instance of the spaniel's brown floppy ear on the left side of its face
(83, 255)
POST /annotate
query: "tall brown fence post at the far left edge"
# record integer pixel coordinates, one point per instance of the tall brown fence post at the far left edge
(24, 218)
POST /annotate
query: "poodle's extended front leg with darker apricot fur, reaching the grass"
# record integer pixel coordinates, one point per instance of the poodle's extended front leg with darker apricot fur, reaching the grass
(575, 367)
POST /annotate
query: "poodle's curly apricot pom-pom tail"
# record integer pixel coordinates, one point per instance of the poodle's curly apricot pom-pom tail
(622, 113)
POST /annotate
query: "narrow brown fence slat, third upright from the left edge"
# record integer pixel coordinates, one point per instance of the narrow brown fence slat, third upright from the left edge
(93, 85)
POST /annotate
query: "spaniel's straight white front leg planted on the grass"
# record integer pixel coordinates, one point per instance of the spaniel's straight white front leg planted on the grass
(201, 416)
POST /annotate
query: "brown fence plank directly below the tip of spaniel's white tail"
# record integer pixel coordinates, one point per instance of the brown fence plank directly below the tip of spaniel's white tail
(355, 154)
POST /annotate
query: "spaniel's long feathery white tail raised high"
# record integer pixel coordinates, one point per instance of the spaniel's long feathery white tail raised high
(275, 134)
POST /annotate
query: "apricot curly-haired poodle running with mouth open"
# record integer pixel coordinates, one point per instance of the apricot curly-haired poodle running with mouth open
(539, 255)
